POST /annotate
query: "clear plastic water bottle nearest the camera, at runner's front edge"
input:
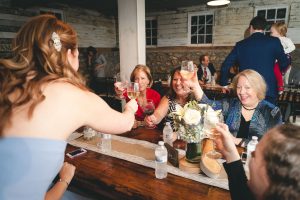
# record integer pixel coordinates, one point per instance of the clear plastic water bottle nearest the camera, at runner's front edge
(161, 158)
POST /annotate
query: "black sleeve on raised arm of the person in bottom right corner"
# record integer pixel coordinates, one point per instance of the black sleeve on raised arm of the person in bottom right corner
(237, 179)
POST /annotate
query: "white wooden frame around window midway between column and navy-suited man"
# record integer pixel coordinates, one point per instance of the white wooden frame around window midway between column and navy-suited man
(201, 13)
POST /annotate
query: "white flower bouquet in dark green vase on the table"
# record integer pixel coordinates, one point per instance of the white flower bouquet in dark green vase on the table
(188, 122)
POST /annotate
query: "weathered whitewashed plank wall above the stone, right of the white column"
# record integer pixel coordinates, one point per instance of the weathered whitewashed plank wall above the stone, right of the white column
(230, 22)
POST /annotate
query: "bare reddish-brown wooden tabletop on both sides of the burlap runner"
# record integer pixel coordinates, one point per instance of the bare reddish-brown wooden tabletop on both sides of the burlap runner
(104, 177)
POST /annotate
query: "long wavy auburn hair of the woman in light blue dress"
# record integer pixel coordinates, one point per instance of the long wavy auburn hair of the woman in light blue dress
(35, 61)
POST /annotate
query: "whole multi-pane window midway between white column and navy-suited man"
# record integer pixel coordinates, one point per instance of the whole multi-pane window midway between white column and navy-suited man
(201, 28)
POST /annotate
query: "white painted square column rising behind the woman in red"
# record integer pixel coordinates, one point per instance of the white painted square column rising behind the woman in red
(131, 14)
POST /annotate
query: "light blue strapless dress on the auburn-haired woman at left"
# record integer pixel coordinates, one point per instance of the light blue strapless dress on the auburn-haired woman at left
(28, 166)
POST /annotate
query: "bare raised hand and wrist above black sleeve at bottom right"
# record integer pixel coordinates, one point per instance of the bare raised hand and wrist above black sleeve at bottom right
(225, 144)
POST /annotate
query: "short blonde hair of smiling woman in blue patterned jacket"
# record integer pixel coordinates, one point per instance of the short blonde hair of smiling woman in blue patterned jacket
(255, 80)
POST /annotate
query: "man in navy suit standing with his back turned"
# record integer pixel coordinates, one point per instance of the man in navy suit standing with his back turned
(257, 52)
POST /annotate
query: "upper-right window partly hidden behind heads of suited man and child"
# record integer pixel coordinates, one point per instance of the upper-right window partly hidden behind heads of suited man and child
(273, 15)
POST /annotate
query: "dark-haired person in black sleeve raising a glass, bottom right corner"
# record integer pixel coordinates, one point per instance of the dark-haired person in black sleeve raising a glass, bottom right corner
(274, 165)
